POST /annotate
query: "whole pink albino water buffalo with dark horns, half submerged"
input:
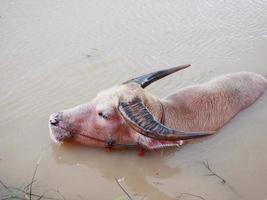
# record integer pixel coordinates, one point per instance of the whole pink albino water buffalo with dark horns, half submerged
(126, 115)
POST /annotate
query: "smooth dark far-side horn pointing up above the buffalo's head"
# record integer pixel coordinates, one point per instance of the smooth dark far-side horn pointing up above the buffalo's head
(147, 79)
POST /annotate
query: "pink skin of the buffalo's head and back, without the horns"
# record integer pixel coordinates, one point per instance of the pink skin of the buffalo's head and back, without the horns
(204, 107)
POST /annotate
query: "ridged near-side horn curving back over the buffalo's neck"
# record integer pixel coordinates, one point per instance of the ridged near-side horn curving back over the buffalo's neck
(139, 118)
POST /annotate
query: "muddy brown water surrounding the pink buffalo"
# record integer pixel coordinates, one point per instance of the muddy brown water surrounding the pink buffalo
(58, 54)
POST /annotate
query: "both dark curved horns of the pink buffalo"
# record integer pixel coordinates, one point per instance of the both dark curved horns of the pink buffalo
(140, 119)
